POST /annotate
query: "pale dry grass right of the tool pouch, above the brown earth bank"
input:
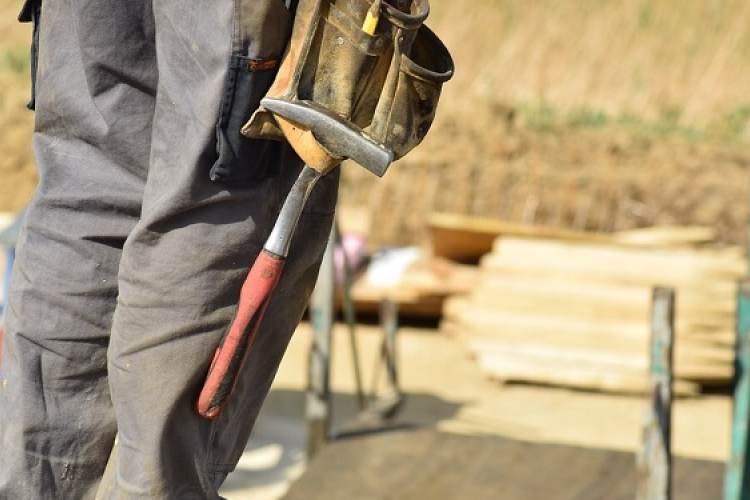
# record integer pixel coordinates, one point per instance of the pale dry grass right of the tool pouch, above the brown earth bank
(650, 60)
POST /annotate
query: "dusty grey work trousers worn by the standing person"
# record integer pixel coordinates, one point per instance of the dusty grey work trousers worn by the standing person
(149, 212)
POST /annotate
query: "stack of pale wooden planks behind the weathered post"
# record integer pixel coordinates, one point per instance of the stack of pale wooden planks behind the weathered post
(576, 313)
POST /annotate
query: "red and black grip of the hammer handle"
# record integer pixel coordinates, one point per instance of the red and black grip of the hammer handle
(235, 346)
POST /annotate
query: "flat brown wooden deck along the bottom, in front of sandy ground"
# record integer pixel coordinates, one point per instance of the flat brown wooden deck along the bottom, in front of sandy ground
(425, 464)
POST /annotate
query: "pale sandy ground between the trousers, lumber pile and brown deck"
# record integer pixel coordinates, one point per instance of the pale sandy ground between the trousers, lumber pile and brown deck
(446, 390)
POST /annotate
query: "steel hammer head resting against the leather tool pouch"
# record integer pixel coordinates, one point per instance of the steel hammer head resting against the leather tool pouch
(337, 136)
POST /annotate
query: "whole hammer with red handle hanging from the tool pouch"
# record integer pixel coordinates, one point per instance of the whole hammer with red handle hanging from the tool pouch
(322, 139)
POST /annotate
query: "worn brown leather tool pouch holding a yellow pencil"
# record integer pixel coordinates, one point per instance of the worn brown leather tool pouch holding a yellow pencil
(372, 66)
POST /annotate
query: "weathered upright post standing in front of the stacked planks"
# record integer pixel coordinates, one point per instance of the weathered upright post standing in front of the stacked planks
(655, 458)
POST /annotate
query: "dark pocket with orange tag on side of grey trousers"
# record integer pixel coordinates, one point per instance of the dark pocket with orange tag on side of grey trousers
(241, 159)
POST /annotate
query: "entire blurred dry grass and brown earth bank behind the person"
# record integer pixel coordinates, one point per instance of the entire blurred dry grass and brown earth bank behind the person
(589, 115)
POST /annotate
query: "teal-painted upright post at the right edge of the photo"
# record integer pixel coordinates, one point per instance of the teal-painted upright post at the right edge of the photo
(736, 485)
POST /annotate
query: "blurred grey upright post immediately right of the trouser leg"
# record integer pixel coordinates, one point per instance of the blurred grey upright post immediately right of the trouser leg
(318, 409)
